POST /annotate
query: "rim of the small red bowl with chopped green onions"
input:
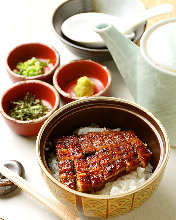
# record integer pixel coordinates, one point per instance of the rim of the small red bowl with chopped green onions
(38, 77)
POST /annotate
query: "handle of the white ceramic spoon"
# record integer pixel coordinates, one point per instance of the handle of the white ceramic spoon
(134, 20)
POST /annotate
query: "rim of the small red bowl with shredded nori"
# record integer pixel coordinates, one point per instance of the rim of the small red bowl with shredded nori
(56, 105)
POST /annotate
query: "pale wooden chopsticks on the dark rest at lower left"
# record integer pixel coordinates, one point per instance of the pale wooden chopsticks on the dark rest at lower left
(49, 202)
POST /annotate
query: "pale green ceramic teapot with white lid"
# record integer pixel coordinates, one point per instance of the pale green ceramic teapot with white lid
(149, 71)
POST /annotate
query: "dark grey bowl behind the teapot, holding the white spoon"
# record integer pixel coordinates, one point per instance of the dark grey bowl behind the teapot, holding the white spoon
(119, 8)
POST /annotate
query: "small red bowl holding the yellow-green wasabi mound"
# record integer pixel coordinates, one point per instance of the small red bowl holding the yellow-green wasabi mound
(65, 78)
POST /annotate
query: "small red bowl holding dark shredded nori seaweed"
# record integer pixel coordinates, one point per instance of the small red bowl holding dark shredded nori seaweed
(46, 92)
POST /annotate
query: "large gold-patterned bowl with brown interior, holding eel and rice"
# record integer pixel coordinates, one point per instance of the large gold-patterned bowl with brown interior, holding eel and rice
(111, 113)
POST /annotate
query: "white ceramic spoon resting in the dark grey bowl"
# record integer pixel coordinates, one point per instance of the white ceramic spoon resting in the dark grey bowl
(79, 27)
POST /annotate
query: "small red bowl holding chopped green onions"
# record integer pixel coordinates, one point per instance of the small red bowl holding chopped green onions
(25, 52)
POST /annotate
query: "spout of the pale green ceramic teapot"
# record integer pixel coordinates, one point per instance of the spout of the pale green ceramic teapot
(124, 52)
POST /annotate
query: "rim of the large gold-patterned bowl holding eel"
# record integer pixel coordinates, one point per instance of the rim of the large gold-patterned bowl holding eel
(159, 169)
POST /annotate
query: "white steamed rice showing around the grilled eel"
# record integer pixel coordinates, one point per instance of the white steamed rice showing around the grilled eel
(123, 184)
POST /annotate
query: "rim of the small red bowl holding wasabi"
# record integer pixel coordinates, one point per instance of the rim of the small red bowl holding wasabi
(67, 95)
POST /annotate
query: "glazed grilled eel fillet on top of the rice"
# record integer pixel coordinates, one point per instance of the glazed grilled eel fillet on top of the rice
(87, 162)
